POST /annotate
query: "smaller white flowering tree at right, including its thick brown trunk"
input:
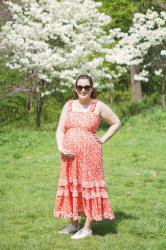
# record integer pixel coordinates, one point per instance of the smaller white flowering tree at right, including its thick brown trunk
(147, 32)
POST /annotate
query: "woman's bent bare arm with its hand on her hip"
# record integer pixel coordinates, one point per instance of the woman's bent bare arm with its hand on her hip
(111, 118)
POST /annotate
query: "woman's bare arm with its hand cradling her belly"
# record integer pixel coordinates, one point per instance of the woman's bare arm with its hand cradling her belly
(60, 132)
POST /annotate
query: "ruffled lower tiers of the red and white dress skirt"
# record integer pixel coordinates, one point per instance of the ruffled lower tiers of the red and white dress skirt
(92, 202)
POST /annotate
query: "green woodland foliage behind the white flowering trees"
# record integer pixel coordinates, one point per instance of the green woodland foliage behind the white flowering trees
(13, 104)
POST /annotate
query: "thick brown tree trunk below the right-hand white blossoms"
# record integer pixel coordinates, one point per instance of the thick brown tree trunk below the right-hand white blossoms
(136, 88)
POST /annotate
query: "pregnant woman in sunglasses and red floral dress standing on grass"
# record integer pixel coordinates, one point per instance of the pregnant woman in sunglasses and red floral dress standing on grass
(82, 190)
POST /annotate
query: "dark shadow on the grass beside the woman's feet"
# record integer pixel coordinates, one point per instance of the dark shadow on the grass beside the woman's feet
(109, 226)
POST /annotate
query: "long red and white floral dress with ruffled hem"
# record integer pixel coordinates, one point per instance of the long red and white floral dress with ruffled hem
(82, 189)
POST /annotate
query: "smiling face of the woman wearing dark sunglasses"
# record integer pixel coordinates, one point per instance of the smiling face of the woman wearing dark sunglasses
(83, 89)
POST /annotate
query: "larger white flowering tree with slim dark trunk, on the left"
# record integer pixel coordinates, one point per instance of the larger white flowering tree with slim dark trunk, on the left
(55, 41)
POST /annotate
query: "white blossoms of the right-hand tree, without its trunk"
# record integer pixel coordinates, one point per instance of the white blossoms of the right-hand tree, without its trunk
(148, 30)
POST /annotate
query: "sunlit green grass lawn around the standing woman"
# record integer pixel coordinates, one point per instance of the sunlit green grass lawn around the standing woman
(134, 168)
